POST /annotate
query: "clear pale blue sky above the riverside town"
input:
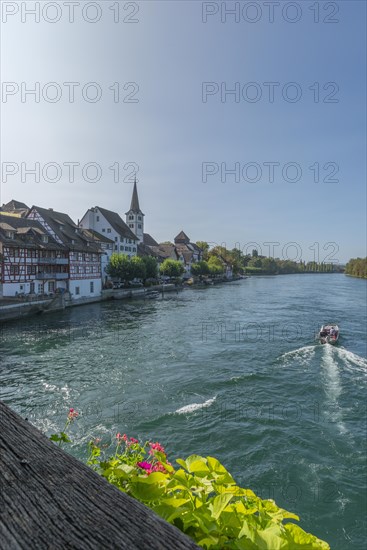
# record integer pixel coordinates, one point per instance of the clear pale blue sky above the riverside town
(244, 122)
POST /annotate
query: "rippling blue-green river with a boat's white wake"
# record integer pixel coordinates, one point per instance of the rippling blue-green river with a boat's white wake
(232, 371)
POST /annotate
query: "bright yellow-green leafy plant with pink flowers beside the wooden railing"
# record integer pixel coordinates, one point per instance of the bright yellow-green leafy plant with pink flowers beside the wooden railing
(202, 499)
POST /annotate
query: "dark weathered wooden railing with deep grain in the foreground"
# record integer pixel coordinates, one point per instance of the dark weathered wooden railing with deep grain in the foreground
(48, 499)
